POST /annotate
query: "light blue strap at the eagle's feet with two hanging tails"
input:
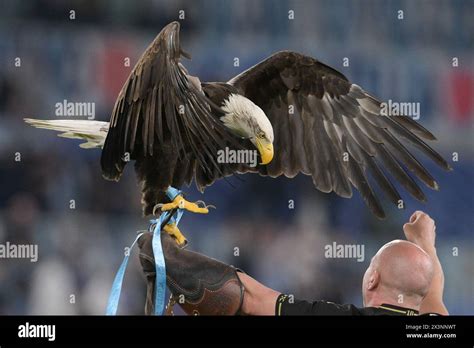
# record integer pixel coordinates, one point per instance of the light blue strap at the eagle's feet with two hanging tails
(160, 282)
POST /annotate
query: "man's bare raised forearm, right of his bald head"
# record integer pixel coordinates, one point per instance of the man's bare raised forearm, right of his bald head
(433, 301)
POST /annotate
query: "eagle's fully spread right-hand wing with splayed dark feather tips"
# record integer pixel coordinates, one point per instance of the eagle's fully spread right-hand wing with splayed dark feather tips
(333, 130)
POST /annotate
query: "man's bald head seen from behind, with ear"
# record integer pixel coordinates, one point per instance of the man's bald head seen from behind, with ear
(400, 273)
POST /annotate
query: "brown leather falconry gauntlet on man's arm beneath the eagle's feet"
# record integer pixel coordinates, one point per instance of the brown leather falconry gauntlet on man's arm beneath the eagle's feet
(199, 284)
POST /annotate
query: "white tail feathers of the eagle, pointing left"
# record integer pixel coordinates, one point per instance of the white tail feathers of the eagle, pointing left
(94, 132)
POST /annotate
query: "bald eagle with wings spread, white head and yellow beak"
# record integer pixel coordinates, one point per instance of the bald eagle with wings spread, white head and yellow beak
(301, 115)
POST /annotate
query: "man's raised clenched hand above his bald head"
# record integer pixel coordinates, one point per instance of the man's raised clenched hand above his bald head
(421, 230)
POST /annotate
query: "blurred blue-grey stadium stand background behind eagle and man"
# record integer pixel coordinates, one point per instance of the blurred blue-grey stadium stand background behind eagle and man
(82, 60)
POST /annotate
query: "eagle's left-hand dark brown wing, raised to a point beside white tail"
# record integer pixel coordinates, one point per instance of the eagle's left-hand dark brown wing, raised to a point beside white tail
(161, 103)
